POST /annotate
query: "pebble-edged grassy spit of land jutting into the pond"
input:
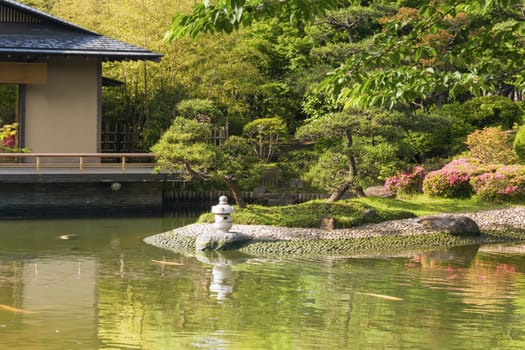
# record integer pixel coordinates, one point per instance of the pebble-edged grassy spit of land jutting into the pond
(294, 229)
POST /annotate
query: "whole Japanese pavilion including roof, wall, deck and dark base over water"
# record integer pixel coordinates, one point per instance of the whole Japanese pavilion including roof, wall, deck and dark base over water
(56, 69)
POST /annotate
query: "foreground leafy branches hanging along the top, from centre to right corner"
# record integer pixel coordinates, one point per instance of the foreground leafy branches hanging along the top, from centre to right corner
(432, 53)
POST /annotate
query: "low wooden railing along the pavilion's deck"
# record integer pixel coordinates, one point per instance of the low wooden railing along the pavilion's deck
(74, 160)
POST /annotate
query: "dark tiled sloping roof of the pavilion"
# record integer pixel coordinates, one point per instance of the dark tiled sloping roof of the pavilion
(40, 34)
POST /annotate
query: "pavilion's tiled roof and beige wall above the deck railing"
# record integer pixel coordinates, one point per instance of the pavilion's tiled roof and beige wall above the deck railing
(57, 68)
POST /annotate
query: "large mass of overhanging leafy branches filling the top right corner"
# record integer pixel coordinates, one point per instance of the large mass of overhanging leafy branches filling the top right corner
(433, 54)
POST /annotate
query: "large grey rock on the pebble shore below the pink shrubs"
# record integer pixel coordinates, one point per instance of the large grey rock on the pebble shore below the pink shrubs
(453, 224)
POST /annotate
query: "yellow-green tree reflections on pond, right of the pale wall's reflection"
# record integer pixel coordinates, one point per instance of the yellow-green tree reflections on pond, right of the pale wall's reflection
(448, 299)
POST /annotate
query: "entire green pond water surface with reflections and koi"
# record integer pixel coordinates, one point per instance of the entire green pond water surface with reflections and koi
(105, 289)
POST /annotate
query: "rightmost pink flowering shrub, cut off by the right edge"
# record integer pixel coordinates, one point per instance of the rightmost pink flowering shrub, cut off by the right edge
(506, 183)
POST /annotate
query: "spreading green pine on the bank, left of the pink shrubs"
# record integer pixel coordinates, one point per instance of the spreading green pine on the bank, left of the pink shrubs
(357, 149)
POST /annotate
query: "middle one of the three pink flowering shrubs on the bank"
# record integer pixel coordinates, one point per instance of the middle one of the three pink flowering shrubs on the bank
(453, 180)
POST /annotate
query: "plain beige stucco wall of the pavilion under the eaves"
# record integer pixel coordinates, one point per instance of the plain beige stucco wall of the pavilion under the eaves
(64, 114)
